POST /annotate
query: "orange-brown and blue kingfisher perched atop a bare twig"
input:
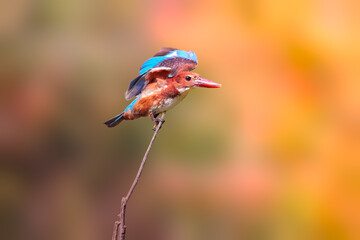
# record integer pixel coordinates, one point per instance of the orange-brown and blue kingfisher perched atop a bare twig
(163, 81)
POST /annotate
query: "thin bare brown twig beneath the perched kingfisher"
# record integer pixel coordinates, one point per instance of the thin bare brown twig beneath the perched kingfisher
(120, 227)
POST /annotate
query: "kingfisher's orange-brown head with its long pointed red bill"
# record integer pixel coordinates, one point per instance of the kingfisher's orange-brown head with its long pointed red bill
(187, 80)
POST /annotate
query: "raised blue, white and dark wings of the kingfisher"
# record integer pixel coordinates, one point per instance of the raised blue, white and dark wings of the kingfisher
(177, 60)
